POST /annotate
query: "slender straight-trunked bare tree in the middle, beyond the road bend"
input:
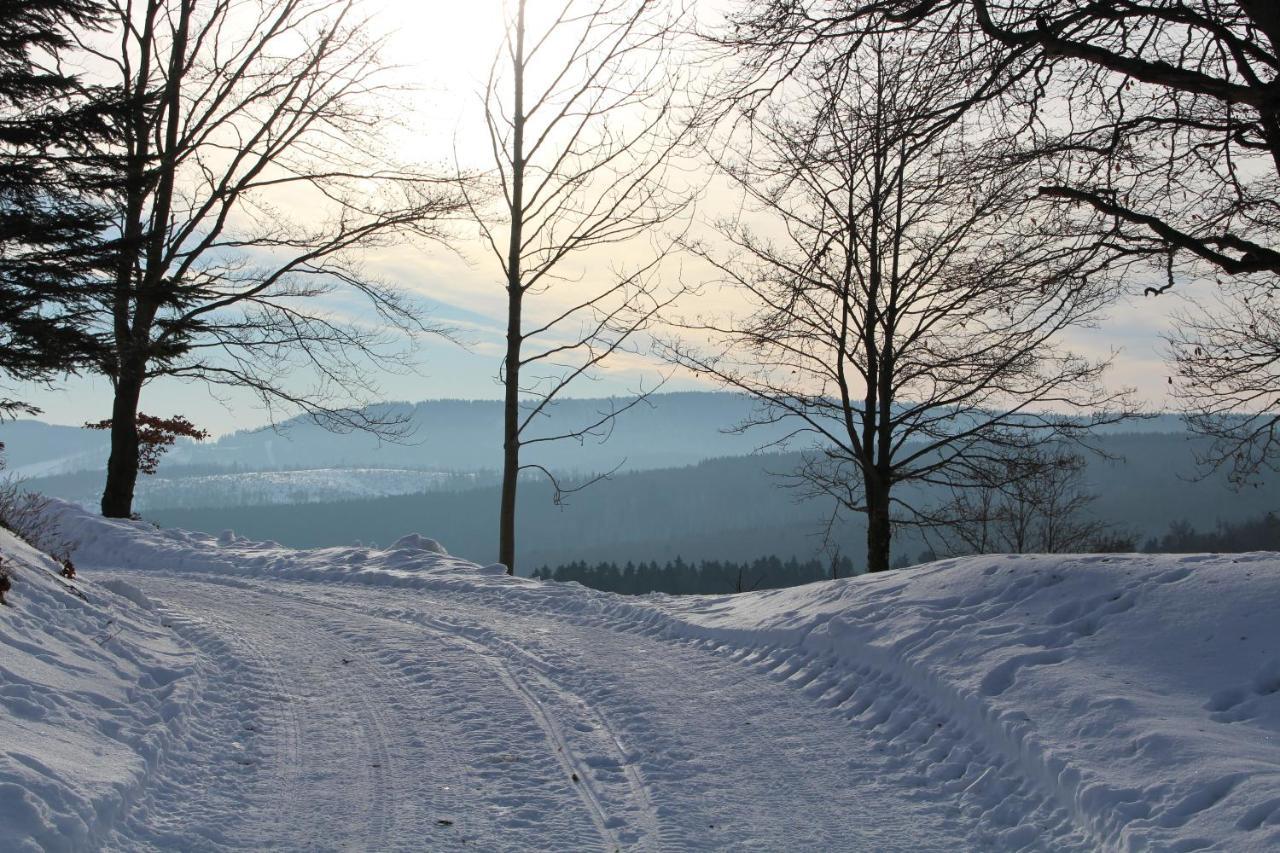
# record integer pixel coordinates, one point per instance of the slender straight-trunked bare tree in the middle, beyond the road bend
(584, 115)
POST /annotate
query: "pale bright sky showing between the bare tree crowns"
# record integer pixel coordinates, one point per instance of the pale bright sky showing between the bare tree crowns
(444, 51)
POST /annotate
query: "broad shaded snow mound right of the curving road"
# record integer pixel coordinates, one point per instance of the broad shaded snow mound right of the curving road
(1142, 692)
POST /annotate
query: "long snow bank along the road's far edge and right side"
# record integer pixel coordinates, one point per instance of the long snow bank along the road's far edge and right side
(1142, 694)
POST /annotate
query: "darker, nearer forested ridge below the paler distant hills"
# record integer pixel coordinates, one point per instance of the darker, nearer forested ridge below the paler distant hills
(724, 509)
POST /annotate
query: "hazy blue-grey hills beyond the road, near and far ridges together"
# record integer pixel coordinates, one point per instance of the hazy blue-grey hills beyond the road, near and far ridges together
(687, 489)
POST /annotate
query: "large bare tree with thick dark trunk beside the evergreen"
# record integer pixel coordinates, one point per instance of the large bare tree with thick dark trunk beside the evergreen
(241, 113)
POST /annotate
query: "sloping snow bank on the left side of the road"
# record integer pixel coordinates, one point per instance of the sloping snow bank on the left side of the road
(92, 691)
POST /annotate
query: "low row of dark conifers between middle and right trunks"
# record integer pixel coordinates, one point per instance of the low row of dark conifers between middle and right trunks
(710, 577)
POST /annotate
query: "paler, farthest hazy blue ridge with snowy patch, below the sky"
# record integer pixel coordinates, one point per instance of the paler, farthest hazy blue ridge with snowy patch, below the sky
(456, 436)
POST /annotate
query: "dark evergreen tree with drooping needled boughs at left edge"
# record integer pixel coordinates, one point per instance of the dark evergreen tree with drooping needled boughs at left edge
(52, 126)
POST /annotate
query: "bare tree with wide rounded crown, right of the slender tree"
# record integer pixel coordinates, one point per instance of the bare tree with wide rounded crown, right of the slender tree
(908, 316)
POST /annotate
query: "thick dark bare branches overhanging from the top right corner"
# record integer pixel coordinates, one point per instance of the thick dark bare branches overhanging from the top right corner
(1174, 126)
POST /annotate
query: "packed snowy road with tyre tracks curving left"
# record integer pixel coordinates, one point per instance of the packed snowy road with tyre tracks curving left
(364, 719)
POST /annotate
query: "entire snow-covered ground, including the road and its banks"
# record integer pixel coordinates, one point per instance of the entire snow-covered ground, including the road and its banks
(216, 694)
